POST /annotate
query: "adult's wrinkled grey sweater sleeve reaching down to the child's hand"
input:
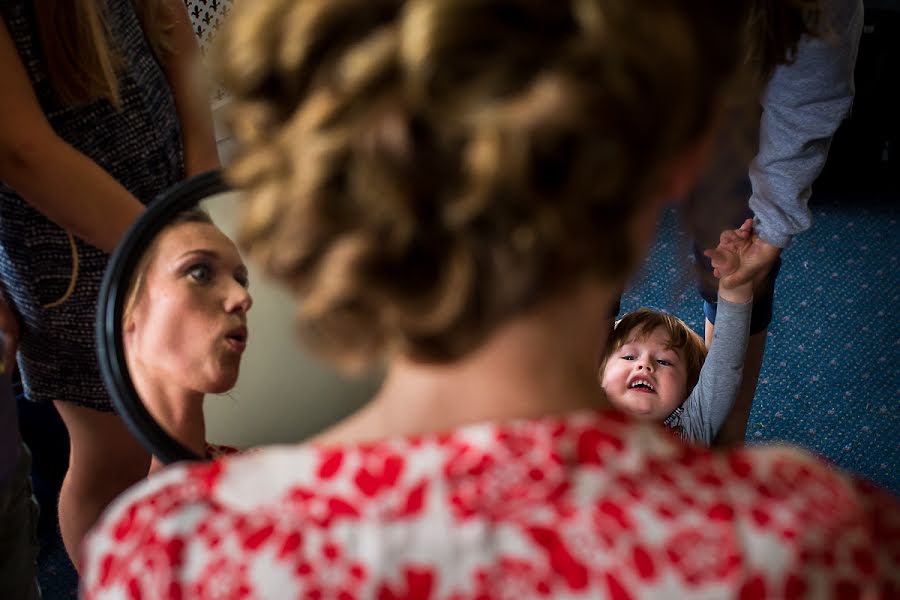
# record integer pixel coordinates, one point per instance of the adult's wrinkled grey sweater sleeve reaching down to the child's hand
(803, 104)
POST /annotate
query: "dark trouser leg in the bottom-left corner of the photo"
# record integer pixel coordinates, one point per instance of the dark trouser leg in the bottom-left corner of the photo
(18, 534)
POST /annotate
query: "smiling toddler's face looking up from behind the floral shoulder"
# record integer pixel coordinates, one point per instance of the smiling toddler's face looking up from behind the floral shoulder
(645, 377)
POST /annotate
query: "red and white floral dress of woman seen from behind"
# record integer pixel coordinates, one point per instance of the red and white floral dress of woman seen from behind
(589, 505)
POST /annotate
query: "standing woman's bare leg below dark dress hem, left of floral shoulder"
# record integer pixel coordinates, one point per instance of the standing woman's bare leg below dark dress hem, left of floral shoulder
(104, 460)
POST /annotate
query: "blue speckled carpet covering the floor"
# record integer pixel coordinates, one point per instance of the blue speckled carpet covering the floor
(830, 380)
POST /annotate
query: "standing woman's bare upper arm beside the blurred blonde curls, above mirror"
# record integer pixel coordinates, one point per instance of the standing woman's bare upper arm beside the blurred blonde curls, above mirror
(192, 103)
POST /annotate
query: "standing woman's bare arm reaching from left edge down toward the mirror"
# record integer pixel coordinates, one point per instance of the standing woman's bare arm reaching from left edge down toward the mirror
(79, 196)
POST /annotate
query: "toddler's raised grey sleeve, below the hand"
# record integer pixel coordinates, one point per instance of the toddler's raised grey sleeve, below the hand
(711, 400)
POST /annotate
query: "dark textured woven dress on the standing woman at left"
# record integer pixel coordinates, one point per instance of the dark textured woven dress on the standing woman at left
(139, 145)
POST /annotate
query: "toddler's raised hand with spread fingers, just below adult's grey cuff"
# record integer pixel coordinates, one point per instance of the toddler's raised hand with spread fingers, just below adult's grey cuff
(740, 258)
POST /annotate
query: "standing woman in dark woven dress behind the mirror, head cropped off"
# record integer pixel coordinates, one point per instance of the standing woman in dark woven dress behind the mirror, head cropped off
(100, 112)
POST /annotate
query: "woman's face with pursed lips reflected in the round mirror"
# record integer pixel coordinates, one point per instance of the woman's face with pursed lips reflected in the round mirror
(188, 324)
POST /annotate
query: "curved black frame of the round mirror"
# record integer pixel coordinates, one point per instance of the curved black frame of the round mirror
(111, 303)
